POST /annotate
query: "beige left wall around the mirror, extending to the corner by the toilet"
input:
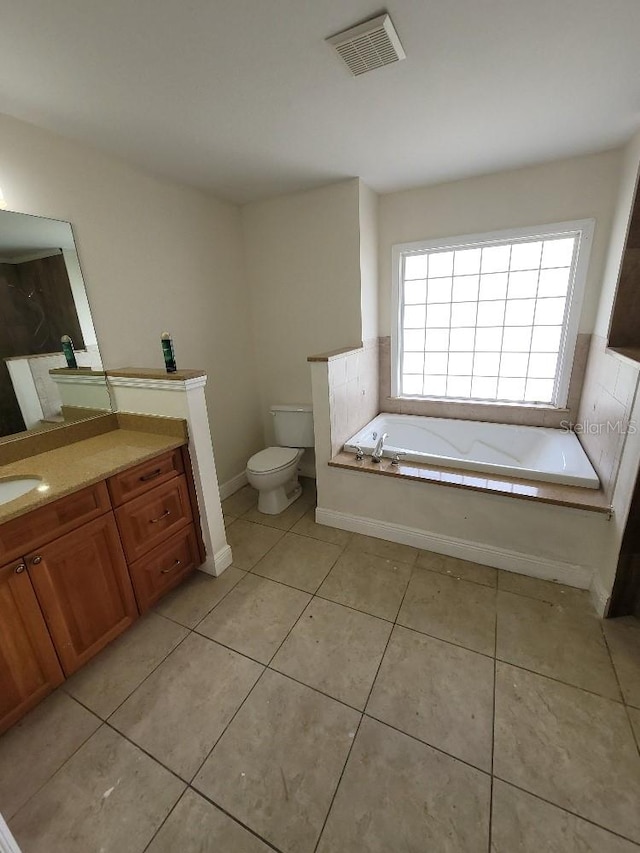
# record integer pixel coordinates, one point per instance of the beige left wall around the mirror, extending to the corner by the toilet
(155, 256)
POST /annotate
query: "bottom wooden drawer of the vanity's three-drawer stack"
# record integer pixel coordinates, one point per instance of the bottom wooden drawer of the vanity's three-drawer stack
(164, 567)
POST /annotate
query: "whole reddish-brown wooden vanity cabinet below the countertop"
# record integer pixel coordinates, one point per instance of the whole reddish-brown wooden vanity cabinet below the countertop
(77, 572)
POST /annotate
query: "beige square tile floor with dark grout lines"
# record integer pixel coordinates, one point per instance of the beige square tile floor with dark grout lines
(338, 693)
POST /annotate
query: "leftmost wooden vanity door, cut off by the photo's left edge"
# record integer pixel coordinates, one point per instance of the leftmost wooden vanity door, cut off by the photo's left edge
(29, 668)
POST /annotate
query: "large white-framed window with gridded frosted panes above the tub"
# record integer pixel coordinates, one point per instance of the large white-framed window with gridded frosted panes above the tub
(490, 319)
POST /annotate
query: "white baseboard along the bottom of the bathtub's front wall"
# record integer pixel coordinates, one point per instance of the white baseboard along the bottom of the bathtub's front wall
(488, 555)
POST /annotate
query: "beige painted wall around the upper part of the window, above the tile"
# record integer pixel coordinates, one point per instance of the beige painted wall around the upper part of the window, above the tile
(577, 188)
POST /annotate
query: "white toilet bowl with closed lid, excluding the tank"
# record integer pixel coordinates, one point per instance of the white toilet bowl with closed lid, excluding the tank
(274, 473)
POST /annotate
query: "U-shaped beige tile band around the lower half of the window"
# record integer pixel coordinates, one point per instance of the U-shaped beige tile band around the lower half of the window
(495, 413)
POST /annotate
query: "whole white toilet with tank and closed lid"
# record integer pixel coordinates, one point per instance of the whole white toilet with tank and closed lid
(274, 470)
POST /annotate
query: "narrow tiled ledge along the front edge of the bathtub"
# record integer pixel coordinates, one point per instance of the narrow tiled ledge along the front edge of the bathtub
(593, 500)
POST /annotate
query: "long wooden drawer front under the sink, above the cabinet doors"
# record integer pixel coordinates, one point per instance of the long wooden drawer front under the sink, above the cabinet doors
(41, 525)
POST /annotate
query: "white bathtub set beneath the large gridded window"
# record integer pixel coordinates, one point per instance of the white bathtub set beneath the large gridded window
(535, 453)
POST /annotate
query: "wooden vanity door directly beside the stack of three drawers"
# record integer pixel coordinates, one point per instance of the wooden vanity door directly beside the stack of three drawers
(83, 587)
